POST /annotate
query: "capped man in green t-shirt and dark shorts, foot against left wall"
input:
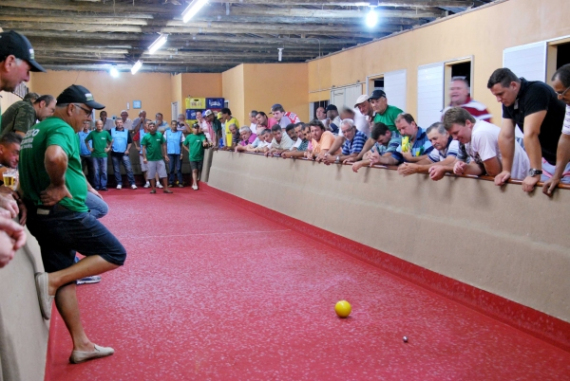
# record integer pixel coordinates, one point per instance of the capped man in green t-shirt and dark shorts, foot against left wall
(54, 191)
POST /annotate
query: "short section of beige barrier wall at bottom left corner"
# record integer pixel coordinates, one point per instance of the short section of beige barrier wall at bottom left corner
(23, 331)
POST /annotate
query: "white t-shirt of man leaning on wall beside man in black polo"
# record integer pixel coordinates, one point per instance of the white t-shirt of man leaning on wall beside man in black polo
(484, 145)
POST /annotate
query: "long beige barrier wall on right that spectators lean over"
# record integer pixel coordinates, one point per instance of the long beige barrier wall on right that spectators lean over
(500, 240)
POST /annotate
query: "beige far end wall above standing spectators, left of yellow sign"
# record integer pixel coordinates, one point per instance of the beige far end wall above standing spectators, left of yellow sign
(152, 89)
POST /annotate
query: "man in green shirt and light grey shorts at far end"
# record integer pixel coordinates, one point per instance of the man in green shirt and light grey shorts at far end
(154, 154)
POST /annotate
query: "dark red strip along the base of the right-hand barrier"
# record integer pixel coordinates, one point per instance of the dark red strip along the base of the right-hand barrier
(526, 319)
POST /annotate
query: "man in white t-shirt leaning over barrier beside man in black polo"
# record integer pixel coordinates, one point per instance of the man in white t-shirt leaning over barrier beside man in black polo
(481, 140)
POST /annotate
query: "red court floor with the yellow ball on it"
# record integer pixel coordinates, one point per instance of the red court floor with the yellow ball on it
(213, 292)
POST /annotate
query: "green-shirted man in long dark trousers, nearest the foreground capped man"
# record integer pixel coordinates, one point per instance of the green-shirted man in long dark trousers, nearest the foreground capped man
(100, 144)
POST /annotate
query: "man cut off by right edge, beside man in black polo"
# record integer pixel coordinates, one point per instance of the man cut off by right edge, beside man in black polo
(561, 172)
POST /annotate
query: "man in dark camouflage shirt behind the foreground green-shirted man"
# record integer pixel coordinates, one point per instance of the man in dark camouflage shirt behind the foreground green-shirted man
(22, 115)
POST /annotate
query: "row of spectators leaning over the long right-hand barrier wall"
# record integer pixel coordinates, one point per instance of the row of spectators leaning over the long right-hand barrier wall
(531, 145)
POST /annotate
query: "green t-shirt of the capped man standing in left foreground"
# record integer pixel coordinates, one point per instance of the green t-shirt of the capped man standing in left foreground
(33, 175)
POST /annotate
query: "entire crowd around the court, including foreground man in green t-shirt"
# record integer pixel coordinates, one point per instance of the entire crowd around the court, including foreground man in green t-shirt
(61, 205)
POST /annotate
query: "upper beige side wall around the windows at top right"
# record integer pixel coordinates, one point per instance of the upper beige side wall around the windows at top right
(483, 33)
